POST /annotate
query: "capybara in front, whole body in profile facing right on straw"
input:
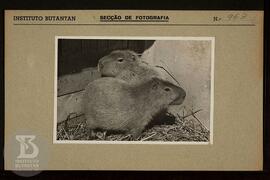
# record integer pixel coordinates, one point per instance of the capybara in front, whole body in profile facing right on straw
(113, 104)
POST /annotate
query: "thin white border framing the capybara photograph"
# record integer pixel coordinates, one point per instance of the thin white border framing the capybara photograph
(199, 38)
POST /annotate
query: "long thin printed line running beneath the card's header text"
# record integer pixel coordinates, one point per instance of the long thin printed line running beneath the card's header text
(133, 24)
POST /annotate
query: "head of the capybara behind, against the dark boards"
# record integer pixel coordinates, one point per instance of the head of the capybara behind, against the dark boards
(112, 64)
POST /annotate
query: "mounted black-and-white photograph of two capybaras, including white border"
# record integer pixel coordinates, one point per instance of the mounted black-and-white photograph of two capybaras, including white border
(134, 89)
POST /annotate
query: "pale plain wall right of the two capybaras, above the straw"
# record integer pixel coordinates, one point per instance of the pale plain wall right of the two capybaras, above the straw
(190, 63)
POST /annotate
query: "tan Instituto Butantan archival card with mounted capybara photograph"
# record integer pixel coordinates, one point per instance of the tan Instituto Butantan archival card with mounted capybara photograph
(133, 90)
